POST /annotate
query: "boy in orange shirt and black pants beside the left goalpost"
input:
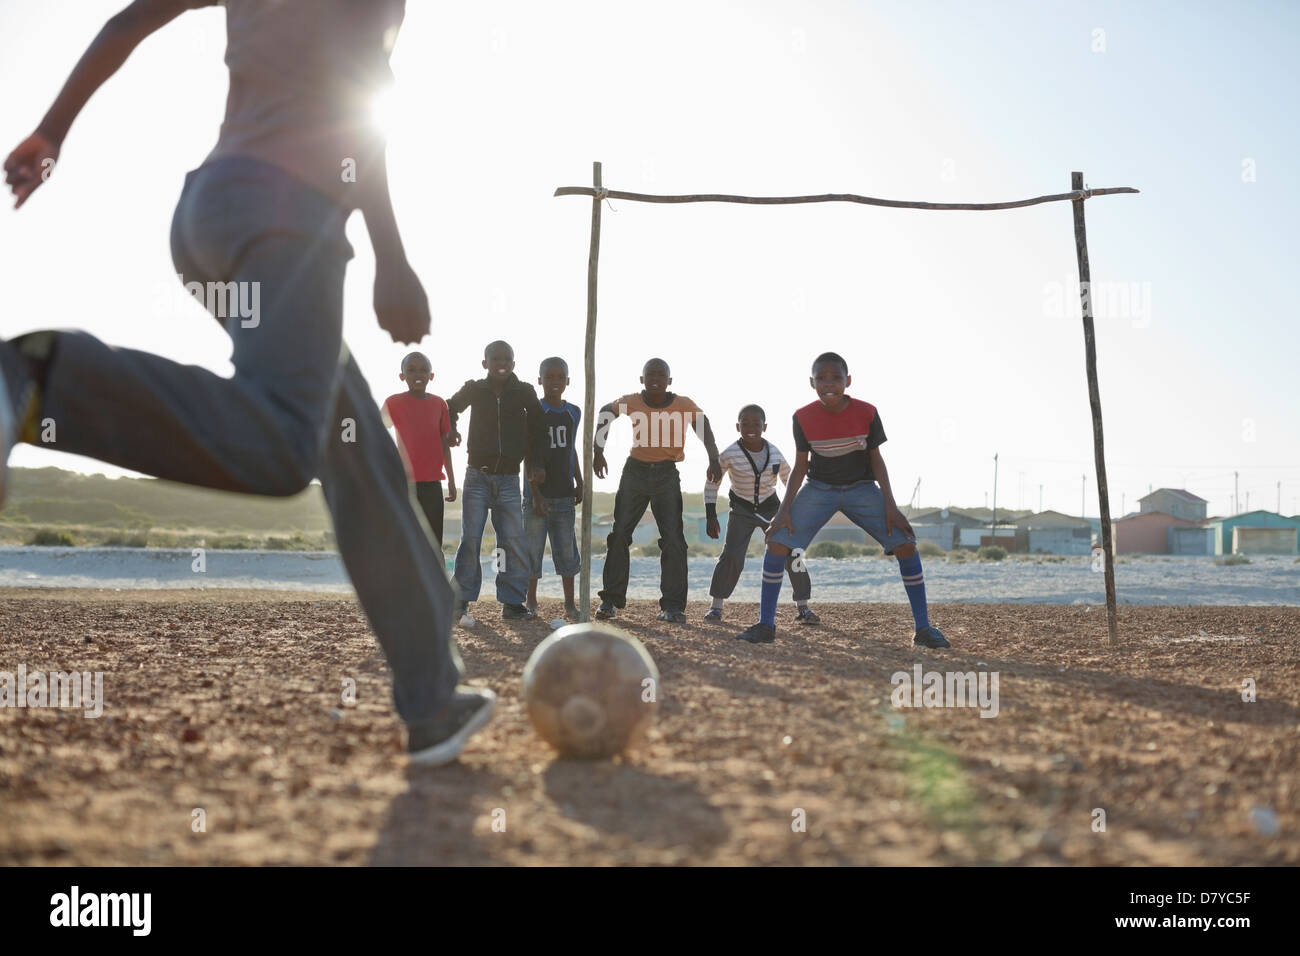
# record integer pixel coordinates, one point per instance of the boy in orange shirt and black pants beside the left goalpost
(660, 423)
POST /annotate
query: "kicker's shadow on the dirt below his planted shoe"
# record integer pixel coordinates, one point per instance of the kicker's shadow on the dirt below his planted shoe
(434, 821)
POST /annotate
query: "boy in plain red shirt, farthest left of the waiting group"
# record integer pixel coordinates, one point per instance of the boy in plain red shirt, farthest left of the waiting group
(423, 426)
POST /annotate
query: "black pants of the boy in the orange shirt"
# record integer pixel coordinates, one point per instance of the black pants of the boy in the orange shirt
(658, 487)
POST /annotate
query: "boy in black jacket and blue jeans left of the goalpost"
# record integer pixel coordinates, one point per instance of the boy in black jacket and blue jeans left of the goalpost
(508, 423)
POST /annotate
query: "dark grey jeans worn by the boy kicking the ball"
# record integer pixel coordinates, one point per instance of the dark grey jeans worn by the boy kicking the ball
(296, 409)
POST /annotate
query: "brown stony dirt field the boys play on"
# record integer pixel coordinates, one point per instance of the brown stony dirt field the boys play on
(232, 703)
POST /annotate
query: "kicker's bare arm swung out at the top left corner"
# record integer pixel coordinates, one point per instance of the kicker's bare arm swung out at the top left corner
(32, 163)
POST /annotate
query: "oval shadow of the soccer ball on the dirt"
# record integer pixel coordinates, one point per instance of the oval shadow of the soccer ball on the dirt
(625, 801)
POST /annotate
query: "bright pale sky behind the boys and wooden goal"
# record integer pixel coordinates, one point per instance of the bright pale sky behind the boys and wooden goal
(961, 327)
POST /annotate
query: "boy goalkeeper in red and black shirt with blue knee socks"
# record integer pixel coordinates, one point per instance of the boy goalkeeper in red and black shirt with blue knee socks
(839, 443)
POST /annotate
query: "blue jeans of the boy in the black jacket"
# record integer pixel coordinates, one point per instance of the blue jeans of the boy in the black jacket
(497, 495)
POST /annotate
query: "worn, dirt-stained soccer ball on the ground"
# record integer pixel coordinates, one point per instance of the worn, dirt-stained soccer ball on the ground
(592, 691)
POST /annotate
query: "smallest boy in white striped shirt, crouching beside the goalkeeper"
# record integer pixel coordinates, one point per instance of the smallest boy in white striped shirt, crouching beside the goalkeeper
(753, 465)
